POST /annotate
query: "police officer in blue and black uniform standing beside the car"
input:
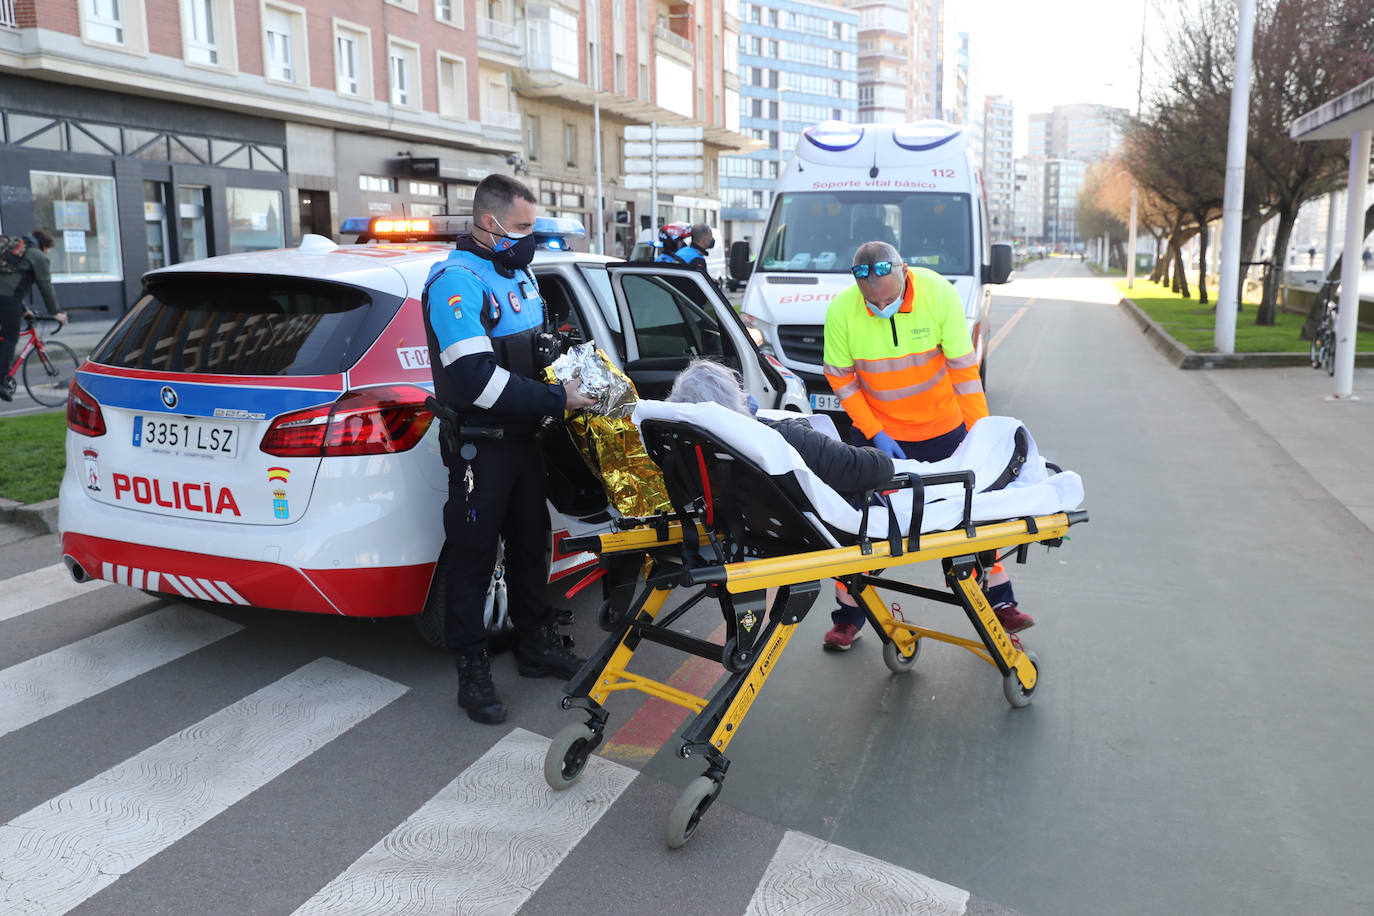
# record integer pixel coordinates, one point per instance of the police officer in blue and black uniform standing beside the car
(483, 318)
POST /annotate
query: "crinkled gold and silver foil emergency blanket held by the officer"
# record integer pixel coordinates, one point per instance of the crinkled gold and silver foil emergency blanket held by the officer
(607, 437)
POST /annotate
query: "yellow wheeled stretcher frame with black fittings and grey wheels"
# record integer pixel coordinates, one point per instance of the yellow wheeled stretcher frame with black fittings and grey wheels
(758, 635)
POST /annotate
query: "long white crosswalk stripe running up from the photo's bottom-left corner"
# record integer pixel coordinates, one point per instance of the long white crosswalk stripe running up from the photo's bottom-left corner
(61, 854)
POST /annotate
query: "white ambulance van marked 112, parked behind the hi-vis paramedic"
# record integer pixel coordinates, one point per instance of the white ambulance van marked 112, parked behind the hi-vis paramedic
(914, 186)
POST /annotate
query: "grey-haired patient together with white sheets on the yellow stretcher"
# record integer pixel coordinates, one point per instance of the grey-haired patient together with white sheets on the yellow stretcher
(1012, 480)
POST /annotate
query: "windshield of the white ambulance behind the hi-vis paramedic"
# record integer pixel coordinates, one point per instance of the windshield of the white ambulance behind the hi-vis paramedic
(820, 231)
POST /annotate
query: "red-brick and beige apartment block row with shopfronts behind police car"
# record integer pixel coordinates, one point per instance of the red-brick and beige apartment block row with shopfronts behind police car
(149, 133)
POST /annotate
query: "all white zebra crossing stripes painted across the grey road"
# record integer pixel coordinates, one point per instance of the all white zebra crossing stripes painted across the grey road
(486, 843)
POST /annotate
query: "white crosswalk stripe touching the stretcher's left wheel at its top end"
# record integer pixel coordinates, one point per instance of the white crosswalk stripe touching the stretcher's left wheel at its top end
(484, 844)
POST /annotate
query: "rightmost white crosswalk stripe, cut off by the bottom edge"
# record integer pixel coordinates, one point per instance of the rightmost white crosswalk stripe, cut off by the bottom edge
(809, 875)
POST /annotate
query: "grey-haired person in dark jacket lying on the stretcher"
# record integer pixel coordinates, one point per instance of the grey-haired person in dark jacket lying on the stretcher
(848, 470)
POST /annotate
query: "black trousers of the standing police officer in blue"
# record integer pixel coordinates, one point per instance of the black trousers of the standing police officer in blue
(508, 502)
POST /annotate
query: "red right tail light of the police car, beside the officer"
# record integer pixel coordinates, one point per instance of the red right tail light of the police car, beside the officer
(376, 421)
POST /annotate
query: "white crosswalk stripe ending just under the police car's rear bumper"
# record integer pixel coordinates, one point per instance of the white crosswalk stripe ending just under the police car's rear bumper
(60, 679)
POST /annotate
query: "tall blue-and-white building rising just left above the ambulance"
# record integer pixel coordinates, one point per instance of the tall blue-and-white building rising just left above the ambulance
(800, 67)
